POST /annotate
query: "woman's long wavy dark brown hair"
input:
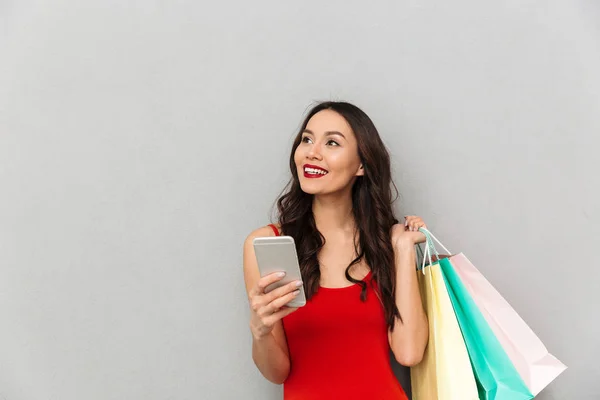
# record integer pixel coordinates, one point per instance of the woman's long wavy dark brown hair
(371, 207)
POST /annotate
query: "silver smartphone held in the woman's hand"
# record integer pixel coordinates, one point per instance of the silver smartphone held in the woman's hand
(276, 254)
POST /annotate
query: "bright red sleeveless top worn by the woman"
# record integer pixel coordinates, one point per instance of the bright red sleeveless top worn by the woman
(339, 347)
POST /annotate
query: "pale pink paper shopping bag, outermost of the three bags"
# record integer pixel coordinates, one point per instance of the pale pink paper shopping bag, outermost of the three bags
(536, 366)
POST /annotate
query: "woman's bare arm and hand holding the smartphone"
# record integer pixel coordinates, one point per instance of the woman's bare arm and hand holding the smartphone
(269, 346)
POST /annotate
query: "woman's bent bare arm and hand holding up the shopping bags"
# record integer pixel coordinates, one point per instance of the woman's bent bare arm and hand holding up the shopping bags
(409, 338)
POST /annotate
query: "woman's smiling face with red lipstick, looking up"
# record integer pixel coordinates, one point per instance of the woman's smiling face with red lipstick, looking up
(327, 158)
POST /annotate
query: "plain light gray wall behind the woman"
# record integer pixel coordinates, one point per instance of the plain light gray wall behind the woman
(141, 141)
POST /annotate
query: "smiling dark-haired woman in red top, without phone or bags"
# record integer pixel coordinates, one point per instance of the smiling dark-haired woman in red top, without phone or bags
(357, 263)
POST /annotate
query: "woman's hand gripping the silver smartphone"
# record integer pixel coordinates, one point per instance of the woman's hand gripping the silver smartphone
(268, 308)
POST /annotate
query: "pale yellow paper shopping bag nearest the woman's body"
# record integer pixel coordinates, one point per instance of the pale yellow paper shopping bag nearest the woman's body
(445, 372)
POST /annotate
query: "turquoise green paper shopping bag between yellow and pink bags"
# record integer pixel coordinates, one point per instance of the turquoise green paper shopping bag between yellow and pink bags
(496, 376)
